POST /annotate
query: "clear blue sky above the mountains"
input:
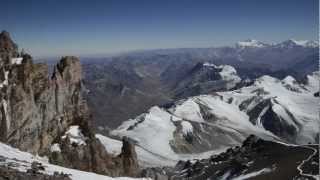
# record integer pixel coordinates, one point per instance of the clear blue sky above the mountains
(83, 27)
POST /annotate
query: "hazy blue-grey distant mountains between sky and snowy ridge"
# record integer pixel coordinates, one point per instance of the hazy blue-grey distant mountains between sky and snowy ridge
(155, 77)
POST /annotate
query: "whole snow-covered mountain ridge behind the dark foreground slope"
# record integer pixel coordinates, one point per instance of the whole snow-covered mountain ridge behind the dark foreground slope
(278, 110)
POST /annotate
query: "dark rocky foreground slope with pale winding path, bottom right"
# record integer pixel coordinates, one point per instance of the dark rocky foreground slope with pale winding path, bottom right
(255, 159)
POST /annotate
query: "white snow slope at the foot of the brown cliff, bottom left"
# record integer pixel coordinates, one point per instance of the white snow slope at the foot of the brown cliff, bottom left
(21, 161)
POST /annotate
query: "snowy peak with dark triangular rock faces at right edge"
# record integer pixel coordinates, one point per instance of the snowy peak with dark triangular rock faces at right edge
(284, 107)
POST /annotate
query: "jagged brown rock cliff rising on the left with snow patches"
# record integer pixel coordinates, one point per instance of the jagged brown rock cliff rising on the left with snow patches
(49, 116)
